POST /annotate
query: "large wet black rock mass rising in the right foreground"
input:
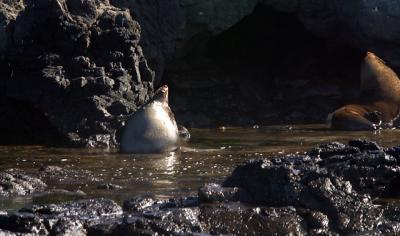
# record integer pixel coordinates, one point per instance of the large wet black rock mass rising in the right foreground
(339, 187)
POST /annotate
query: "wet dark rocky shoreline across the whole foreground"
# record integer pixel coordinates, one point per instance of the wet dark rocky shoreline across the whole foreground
(333, 189)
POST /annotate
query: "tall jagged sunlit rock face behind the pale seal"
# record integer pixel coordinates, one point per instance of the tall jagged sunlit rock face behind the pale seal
(78, 62)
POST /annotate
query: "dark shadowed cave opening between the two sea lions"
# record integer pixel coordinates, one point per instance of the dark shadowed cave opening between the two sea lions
(267, 69)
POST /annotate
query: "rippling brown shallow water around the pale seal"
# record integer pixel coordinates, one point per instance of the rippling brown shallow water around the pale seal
(209, 157)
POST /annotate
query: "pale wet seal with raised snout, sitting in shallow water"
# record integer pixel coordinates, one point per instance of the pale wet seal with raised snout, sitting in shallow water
(152, 129)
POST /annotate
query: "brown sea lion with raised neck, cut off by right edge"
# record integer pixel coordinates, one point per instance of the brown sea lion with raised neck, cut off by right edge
(380, 99)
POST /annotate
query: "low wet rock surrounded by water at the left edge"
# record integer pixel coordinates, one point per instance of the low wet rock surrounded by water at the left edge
(15, 183)
